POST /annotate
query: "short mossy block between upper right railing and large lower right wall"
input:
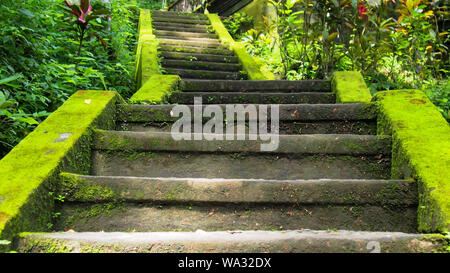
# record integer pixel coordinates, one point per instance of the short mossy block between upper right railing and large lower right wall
(350, 87)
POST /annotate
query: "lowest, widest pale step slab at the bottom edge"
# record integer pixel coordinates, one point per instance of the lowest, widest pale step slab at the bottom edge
(294, 241)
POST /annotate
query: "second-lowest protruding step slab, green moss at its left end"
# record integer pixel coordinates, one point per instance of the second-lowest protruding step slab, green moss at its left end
(245, 191)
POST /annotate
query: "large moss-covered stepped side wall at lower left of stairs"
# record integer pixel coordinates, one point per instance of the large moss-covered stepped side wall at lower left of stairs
(29, 173)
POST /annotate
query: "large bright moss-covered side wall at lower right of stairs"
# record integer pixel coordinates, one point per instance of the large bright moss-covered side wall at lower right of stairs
(420, 149)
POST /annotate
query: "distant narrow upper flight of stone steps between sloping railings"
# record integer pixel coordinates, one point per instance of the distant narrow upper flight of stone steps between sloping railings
(191, 50)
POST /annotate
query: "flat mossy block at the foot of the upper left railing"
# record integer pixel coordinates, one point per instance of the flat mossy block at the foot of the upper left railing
(157, 89)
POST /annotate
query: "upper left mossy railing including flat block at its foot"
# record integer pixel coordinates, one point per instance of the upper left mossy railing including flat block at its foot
(152, 86)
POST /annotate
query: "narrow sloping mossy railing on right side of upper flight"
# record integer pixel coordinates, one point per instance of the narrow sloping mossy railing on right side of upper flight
(253, 68)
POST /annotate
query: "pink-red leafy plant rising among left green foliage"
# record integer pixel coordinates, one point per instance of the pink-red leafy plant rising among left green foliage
(84, 13)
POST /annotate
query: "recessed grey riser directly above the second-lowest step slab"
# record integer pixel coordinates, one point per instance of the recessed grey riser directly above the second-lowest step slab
(239, 165)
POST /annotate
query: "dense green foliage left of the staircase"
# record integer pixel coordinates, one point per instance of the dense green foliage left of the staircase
(46, 54)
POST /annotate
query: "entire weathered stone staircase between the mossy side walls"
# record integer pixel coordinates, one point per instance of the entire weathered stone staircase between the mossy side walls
(327, 187)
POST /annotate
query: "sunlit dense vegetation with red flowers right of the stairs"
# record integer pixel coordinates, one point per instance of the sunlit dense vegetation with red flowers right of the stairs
(395, 44)
